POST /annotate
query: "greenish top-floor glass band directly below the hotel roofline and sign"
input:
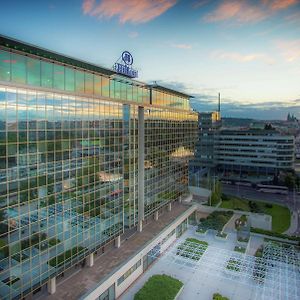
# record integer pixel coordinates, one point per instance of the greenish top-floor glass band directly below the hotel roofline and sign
(31, 71)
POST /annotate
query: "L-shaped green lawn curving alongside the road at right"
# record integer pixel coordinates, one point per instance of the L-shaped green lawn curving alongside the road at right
(281, 216)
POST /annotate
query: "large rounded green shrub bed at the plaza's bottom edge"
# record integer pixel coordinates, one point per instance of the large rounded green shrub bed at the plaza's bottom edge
(159, 287)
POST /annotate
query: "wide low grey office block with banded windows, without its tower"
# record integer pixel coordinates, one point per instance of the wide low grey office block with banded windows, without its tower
(259, 151)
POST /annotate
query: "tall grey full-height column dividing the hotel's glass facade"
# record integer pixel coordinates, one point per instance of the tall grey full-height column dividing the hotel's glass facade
(141, 166)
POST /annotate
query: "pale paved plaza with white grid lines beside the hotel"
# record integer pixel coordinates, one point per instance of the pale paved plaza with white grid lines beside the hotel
(222, 270)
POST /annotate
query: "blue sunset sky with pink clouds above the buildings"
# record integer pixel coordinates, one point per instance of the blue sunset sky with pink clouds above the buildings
(249, 51)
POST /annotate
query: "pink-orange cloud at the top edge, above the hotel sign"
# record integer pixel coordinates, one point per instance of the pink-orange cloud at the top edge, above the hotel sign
(134, 11)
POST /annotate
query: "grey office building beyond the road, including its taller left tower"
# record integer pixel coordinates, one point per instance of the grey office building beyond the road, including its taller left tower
(259, 151)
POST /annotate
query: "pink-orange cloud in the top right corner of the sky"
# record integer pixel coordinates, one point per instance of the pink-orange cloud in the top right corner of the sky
(246, 11)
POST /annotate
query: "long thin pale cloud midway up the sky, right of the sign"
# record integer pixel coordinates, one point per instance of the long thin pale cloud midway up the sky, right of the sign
(238, 57)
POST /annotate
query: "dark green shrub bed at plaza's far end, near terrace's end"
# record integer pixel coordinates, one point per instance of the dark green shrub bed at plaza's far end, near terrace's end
(216, 220)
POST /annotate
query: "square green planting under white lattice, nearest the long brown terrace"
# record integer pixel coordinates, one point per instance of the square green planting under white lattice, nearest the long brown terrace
(189, 248)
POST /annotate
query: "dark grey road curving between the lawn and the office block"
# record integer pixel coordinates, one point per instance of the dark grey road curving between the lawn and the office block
(291, 201)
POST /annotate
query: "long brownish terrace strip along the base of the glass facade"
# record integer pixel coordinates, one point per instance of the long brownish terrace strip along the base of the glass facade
(87, 279)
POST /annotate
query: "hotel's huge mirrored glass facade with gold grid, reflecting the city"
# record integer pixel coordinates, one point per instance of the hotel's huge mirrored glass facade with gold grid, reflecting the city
(69, 164)
